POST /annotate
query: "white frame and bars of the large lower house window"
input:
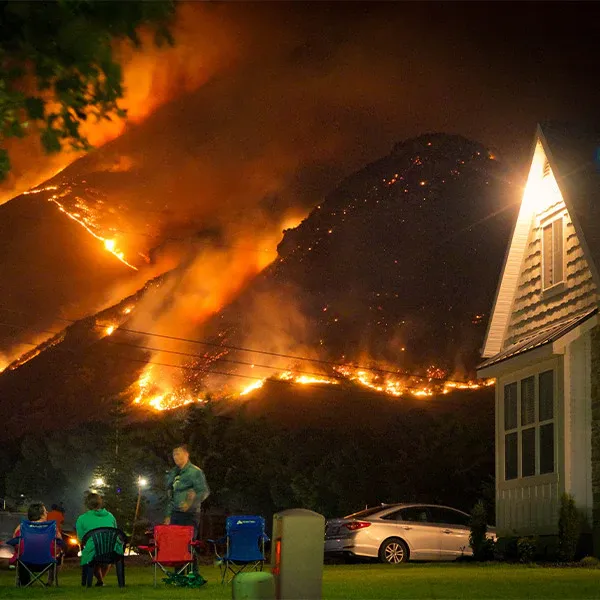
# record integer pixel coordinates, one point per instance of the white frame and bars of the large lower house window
(536, 424)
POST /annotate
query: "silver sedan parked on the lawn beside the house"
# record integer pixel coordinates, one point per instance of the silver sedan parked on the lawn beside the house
(395, 533)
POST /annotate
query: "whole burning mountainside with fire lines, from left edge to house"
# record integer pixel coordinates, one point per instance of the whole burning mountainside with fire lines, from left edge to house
(381, 289)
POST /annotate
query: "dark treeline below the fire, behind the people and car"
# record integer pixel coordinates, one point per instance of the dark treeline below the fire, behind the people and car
(254, 465)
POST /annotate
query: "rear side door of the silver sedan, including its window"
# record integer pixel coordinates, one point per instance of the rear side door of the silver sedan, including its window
(412, 524)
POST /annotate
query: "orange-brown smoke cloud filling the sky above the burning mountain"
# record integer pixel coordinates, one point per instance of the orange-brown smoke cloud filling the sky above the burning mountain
(256, 113)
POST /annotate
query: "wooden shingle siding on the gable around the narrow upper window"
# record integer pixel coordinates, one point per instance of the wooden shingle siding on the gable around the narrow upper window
(532, 310)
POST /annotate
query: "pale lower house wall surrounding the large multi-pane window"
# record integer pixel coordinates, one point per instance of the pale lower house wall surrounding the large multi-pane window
(530, 505)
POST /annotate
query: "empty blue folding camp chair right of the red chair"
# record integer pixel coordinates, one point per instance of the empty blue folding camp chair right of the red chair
(245, 545)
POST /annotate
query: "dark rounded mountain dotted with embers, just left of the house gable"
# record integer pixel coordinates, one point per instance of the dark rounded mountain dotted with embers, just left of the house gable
(398, 264)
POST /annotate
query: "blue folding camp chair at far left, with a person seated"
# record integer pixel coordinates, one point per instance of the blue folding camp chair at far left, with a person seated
(36, 552)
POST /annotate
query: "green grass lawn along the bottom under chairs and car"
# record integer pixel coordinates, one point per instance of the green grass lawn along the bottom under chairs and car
(357, 581)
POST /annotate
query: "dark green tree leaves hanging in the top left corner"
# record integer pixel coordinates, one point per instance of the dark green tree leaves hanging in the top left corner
(57, 67)
